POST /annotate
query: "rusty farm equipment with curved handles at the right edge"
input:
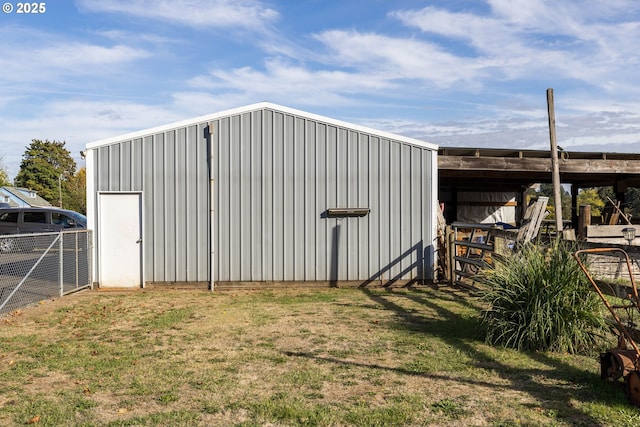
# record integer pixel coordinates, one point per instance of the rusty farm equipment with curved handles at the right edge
(621, 364)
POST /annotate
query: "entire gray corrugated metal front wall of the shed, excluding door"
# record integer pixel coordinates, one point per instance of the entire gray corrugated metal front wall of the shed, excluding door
(274, 176)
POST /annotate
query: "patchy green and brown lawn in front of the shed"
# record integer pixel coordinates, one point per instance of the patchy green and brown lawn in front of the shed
(326, 357)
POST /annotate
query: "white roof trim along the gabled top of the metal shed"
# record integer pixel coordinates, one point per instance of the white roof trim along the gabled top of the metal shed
(254, 107)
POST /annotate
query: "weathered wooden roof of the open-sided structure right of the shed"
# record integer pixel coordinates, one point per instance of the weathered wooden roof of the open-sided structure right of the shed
(487, 170)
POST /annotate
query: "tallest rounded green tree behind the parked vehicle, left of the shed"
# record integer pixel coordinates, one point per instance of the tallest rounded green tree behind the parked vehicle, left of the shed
(46, 167)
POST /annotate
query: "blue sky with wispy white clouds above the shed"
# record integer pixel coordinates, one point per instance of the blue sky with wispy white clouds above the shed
(451, 72)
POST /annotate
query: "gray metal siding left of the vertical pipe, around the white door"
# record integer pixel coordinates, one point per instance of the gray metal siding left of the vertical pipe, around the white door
(171, 170)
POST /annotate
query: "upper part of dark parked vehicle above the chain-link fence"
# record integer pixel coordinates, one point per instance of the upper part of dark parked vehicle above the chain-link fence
(36, 220)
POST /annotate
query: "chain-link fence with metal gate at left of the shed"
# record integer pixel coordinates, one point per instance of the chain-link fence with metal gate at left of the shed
(35, 267)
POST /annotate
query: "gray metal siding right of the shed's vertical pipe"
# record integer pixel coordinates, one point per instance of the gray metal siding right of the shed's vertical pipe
(275, 176)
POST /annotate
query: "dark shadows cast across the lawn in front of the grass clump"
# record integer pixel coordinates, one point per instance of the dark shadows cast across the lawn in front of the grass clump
(464, 334)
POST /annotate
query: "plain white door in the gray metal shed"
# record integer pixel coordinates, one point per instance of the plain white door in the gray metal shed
(119, 240)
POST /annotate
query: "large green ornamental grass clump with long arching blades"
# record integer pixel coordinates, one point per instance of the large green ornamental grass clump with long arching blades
(540, 300)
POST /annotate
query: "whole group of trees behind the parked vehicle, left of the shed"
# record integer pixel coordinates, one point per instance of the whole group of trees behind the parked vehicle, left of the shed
(48, 168)
